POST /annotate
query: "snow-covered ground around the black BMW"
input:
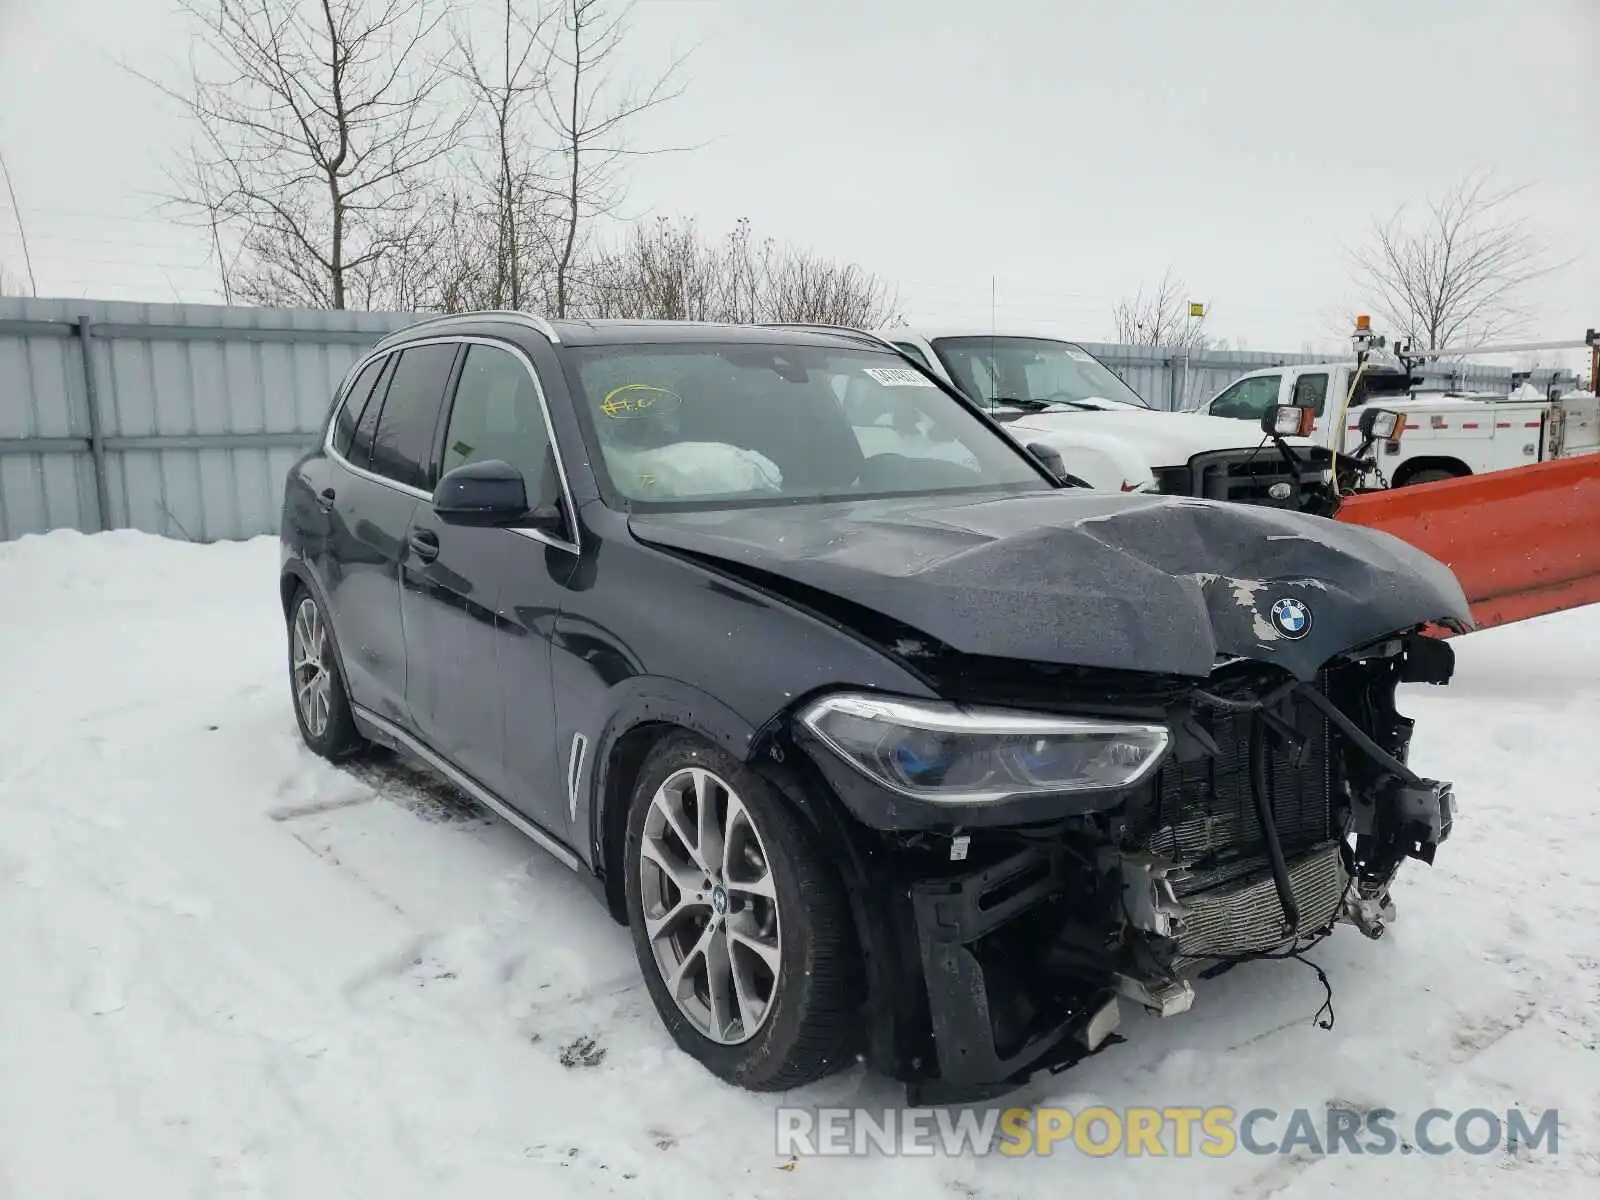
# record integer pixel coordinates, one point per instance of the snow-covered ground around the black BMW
(231, 970)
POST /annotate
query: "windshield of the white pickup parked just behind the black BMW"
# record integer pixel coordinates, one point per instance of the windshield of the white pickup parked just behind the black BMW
(1033, 372)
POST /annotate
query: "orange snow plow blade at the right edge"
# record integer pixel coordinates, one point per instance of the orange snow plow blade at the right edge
(1522, 542)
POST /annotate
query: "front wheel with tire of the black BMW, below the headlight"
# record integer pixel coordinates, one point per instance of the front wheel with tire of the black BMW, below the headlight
(740, 926)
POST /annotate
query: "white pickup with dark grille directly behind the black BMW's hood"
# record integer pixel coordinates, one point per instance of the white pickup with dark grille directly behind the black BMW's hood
(1058, 394)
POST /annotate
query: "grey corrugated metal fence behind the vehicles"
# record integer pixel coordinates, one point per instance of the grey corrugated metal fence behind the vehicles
(190, 417)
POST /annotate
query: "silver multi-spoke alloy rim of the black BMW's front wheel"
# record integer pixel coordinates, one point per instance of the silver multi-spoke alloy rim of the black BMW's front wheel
(710, 906)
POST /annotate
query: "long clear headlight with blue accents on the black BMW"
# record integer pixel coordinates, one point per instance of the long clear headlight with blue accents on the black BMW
(953, 754)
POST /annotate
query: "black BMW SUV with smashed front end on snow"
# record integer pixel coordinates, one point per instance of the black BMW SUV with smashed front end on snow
(881, 738)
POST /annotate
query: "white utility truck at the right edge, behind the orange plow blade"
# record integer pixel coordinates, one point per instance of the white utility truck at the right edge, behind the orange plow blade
(1446, 436)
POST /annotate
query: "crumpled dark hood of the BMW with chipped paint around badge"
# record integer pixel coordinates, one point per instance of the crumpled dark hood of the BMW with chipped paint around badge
(1135, 583)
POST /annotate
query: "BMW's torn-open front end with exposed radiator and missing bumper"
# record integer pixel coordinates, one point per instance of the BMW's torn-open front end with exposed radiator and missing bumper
(1281, 809)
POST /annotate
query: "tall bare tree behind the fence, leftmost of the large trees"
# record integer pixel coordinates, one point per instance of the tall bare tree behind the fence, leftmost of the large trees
(316, 140)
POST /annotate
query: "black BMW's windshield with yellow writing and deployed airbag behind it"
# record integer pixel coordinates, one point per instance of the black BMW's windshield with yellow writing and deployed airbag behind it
(705, 425)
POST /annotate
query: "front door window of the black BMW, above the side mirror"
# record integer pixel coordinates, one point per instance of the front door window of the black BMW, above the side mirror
(497, 415)
